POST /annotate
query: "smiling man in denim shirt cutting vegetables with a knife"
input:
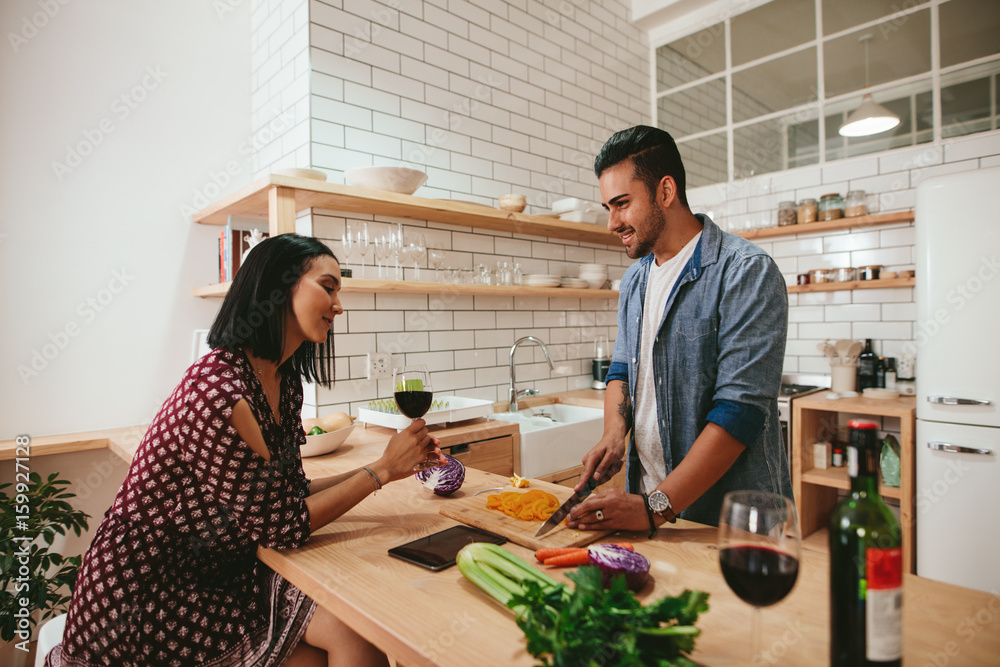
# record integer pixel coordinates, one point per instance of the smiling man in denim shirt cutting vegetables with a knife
(695, 374)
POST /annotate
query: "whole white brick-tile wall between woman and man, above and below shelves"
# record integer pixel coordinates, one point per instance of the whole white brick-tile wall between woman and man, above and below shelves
(487, 98)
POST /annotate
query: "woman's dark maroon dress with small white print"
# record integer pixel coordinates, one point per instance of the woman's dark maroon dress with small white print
(172, 576)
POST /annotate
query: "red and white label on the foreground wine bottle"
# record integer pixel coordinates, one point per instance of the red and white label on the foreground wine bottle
(884, 604)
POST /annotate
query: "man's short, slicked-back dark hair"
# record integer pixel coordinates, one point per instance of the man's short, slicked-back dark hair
(653, 154)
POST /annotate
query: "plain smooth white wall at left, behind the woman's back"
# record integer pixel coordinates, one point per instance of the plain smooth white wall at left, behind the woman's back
(110, 228)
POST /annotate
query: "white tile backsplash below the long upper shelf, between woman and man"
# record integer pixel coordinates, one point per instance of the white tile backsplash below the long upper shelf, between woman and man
(464, 340)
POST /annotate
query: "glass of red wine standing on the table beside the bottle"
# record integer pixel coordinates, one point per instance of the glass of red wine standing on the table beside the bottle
(759, 550)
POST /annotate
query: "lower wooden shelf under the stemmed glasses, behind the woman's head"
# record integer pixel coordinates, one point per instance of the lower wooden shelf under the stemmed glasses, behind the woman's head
(367, 286)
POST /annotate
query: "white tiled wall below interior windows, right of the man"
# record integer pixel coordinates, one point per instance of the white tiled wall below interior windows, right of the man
(885, 315)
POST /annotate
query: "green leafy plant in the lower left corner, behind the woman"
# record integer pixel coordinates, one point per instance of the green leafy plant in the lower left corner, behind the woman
(36, 582)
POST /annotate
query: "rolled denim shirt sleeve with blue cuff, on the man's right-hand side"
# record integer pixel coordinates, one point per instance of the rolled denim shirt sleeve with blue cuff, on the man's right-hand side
(753, 327)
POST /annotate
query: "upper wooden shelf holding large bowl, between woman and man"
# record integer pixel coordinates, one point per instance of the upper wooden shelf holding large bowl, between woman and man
(275, 197)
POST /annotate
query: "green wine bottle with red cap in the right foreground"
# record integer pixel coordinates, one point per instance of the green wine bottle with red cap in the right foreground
(866, 564)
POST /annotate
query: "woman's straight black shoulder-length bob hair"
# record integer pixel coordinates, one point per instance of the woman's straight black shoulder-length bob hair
(253, 313)
